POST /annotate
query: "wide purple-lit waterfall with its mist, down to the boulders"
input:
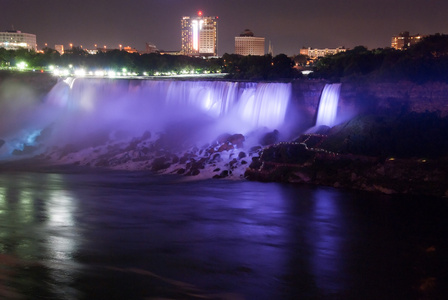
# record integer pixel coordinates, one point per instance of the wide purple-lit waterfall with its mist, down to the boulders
(84, 110)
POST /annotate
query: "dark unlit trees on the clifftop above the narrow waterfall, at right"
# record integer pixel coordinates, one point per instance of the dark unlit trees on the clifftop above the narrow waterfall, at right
(425, 61)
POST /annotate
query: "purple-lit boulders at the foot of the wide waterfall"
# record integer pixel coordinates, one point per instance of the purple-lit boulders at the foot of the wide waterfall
(225, 157)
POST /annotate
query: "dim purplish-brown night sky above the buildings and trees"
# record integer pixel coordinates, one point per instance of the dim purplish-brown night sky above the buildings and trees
(288, 24)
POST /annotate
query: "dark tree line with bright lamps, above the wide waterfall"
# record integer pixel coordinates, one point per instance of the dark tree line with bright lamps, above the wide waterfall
(236, 66)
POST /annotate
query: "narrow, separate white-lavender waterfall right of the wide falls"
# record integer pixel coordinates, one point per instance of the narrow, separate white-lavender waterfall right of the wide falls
(328, 105)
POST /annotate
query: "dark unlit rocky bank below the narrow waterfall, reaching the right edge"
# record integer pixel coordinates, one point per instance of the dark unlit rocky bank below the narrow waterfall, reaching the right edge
(302, 161)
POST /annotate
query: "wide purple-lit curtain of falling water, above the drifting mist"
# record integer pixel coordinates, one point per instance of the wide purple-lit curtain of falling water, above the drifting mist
(253, 105)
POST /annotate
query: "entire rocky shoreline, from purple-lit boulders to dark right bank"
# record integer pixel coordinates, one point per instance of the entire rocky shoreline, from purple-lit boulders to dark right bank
(230, 157)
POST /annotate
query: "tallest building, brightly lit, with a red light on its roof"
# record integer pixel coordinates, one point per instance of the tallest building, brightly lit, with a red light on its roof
(199, 35)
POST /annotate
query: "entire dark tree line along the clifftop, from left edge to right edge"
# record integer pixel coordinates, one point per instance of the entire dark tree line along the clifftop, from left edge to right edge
(424, 61)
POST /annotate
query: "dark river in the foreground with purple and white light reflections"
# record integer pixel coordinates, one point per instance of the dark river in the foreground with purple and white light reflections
(118, 235)
